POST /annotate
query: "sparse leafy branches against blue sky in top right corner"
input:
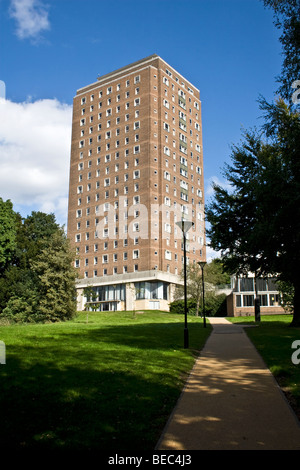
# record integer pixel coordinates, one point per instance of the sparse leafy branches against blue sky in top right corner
(287, 20)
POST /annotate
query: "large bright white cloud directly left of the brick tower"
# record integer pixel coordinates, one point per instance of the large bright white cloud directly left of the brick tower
(35, 141)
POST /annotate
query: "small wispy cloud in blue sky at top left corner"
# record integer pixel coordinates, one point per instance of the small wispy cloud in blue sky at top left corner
(31, 17)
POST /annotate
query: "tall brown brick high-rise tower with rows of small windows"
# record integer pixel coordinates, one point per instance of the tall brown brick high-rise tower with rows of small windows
(136, 170)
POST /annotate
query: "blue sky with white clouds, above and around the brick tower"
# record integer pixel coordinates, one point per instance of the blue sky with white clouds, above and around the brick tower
(229, 49)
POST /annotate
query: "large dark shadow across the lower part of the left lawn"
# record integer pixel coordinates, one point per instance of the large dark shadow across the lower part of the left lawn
(81, 409)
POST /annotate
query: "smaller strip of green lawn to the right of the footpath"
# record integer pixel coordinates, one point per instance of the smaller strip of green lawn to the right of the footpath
(273, 338)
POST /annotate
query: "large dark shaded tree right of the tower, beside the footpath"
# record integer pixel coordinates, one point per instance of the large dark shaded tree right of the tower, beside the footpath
(256, 224)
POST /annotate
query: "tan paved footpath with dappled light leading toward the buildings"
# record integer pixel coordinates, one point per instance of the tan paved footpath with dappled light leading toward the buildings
(231, 400)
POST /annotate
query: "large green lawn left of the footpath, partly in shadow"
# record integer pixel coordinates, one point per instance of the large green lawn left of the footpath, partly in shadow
(107, 384)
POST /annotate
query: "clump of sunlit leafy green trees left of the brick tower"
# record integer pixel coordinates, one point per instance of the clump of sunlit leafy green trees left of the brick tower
(37, 277)
